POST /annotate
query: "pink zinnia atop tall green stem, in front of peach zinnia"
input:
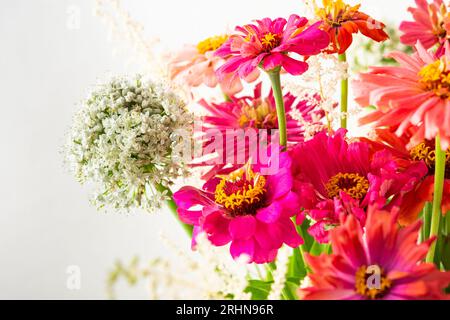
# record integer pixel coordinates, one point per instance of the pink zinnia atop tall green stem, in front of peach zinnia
(268, 43)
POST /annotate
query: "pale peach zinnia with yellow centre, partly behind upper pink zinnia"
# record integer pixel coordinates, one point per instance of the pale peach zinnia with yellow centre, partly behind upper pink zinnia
(197, 65)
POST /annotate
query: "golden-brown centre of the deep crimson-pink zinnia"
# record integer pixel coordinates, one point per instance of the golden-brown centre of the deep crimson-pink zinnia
(352, 184)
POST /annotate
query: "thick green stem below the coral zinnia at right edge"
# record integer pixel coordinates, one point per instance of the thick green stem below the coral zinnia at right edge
(438, 192)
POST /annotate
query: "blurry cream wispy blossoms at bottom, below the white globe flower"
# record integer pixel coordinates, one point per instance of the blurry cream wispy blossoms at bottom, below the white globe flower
(210, 274)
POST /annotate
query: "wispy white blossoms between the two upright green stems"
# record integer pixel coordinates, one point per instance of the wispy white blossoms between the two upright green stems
(323, 77)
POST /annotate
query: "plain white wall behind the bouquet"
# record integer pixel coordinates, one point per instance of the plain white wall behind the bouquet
(46, 221)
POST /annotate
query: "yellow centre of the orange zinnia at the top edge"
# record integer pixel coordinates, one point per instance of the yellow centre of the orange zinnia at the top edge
(335, 12)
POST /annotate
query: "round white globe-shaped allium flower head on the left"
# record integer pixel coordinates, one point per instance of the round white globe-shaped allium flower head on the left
(128, 137)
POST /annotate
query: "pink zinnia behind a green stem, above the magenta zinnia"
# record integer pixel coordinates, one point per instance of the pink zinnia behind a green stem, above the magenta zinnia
(252, 117)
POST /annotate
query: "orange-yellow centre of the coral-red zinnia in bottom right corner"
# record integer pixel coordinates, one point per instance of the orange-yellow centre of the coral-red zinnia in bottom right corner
(372, 282)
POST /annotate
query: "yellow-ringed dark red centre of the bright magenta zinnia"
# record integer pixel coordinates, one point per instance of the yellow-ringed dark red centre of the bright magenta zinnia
(242, 192)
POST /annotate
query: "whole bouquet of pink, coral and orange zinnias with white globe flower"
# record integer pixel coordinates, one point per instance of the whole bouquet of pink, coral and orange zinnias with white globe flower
(298, 193)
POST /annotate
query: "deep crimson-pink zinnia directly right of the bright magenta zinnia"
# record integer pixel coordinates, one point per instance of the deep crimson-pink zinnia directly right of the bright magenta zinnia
(335, 178)
